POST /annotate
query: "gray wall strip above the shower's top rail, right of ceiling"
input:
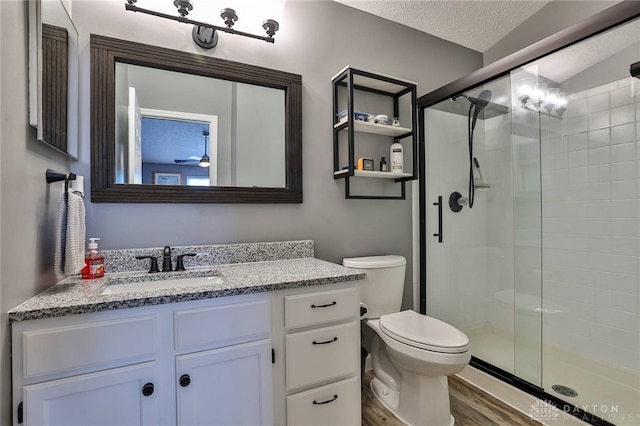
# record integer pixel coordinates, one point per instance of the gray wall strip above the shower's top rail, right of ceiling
(555, 16)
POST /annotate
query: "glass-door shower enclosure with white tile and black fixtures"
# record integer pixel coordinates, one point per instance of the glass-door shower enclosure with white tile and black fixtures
(530, 230)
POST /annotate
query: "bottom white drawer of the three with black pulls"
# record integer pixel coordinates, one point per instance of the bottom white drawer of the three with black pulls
(334, 404)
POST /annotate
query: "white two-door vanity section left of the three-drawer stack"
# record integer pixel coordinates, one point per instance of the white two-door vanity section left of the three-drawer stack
(202, 362)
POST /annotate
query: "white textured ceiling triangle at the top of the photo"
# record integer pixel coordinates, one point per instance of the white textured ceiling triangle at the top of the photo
(477, 25)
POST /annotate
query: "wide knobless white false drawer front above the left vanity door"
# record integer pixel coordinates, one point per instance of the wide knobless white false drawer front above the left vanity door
(93, 344)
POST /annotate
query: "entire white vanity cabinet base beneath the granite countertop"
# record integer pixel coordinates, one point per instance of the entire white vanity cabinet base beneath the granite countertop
(285, 357)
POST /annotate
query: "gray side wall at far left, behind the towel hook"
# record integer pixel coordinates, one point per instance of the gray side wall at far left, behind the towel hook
(27, 203)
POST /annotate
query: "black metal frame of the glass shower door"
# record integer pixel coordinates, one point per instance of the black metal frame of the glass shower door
(609, 18)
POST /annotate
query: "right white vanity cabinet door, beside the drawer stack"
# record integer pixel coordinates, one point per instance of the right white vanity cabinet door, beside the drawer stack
(228, 386)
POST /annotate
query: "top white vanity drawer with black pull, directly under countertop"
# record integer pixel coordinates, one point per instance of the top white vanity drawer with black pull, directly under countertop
(303, 310)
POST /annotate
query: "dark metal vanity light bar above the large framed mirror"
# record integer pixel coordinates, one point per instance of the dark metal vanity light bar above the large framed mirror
(206, 35)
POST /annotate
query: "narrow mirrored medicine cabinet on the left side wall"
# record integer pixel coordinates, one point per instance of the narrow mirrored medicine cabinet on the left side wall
(53, 75)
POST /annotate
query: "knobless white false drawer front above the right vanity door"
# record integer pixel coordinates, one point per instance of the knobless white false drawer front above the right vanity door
(222, 325)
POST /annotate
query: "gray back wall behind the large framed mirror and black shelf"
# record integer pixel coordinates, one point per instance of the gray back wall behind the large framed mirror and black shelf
(317, 39)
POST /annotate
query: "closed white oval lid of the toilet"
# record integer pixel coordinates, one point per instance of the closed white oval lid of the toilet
(424, 332)
